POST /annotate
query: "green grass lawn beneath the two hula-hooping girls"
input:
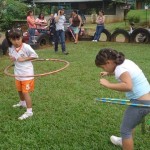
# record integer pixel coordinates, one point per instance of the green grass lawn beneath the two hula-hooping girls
(66, 116)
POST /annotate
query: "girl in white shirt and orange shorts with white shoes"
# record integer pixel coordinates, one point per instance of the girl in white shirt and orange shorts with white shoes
(22, 54)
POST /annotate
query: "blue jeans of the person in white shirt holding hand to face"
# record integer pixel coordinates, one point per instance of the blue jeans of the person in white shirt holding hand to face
(60, 36)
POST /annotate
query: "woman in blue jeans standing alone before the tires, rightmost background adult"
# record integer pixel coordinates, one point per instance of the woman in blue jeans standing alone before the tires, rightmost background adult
(100, 25)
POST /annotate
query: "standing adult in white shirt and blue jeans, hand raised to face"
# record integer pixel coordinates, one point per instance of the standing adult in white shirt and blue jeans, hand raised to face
(60, 31)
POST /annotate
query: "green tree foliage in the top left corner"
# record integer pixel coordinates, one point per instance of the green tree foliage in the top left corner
(11, 10)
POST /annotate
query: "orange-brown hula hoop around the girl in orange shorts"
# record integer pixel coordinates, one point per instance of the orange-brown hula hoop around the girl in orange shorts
(38, 75)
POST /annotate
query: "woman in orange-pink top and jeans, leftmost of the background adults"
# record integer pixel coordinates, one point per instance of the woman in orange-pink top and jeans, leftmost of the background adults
(31, 25)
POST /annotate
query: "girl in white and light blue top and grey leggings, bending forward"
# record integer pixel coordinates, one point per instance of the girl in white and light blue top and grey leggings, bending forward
(132, 81)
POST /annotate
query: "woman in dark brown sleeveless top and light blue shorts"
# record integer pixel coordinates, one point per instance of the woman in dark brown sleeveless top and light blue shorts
(76, 22)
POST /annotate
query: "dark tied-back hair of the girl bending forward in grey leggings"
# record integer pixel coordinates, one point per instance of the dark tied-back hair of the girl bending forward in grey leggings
(109, 54)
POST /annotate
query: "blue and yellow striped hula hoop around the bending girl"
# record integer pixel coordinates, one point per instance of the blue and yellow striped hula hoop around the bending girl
(121, 102)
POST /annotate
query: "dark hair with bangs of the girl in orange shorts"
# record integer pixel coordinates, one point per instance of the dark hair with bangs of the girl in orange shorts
(14, 33)
